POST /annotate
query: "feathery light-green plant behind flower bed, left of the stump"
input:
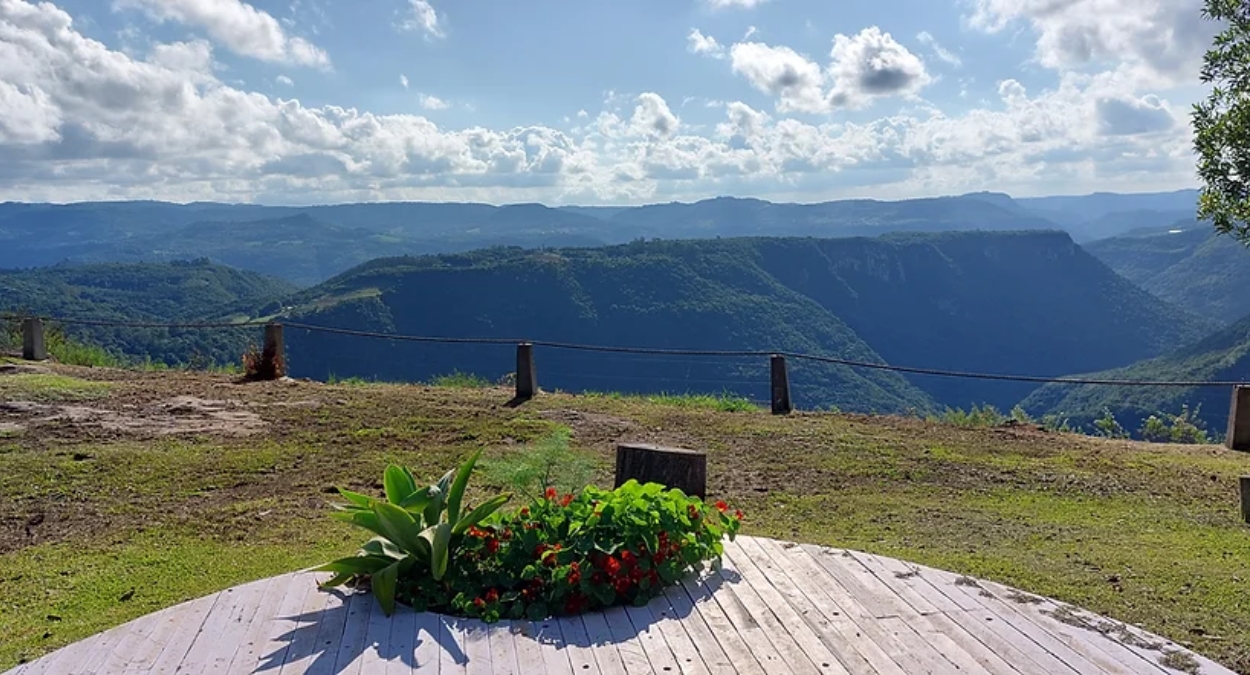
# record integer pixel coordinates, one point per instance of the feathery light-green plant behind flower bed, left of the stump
(542, 464)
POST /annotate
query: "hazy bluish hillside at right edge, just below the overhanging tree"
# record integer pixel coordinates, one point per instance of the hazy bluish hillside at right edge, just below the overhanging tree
(1187, 264)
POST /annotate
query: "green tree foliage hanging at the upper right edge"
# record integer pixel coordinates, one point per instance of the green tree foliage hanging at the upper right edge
(1222, 123)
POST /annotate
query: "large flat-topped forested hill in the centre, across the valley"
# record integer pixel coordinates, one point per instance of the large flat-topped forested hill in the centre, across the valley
(1029, 303)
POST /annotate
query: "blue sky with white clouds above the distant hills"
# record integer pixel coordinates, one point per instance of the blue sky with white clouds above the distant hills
(594, 102)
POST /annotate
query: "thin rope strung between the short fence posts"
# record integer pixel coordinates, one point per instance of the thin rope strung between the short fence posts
(662, 352)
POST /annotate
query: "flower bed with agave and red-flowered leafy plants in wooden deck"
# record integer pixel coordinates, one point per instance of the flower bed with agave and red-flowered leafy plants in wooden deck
(559, 554)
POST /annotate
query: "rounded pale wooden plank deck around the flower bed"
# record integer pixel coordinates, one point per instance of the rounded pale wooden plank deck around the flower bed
(773, 608)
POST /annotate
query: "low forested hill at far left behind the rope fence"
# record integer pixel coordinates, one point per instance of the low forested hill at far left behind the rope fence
(183, 292)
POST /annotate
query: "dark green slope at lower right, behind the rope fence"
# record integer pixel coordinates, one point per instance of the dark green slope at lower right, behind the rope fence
(1222, 357)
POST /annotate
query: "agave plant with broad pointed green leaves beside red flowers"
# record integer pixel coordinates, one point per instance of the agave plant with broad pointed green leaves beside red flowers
(414, 529)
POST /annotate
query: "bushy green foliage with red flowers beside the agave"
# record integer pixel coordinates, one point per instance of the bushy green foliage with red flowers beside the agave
(564, 556)
